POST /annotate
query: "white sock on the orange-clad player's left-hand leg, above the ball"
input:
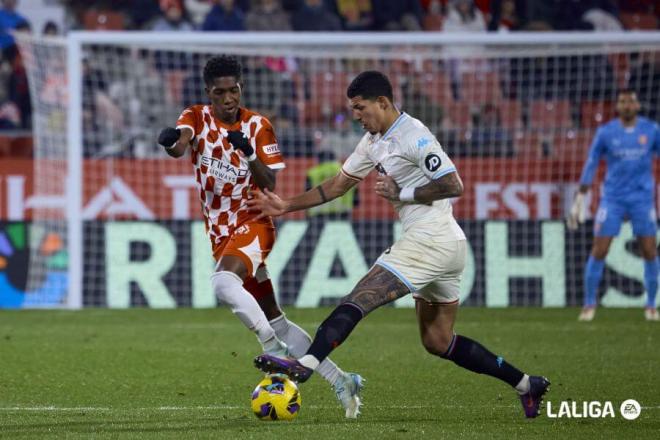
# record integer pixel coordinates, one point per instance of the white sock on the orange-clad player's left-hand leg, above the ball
(228, 287)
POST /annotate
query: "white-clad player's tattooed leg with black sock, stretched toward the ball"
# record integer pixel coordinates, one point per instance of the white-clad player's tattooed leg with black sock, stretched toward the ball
(378, 287)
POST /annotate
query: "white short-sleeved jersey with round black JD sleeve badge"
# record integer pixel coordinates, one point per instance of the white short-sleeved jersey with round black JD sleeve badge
(410, 154)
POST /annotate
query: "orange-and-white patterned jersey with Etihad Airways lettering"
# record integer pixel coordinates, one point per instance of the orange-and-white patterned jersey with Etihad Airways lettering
(222, 172)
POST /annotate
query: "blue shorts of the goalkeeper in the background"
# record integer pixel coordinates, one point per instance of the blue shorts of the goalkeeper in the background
(611, 214)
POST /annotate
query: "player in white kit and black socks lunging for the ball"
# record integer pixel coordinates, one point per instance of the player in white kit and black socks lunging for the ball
(418, 178)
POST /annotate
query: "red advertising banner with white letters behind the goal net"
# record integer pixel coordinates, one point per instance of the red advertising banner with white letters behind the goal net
(160, 189)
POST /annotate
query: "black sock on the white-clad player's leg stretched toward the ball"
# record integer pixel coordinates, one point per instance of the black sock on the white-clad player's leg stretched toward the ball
(334, 330)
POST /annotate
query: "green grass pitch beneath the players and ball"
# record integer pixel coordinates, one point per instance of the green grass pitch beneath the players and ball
(188, 374)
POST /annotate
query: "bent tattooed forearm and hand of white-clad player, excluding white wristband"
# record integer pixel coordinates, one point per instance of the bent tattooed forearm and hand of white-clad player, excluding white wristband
(447, 186)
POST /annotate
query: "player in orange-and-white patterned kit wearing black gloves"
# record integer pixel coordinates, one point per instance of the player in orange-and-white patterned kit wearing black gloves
(234, 151)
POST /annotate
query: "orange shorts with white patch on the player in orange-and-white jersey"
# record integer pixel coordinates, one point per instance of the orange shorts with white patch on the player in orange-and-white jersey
(251, 242)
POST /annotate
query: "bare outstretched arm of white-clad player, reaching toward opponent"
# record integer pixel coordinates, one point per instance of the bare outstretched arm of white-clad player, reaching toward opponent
(270, 204)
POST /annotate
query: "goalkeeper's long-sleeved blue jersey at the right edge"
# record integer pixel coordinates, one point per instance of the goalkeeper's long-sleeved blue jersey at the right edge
(629, 154)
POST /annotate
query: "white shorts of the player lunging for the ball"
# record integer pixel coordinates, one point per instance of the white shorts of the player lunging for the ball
(430, 268)
